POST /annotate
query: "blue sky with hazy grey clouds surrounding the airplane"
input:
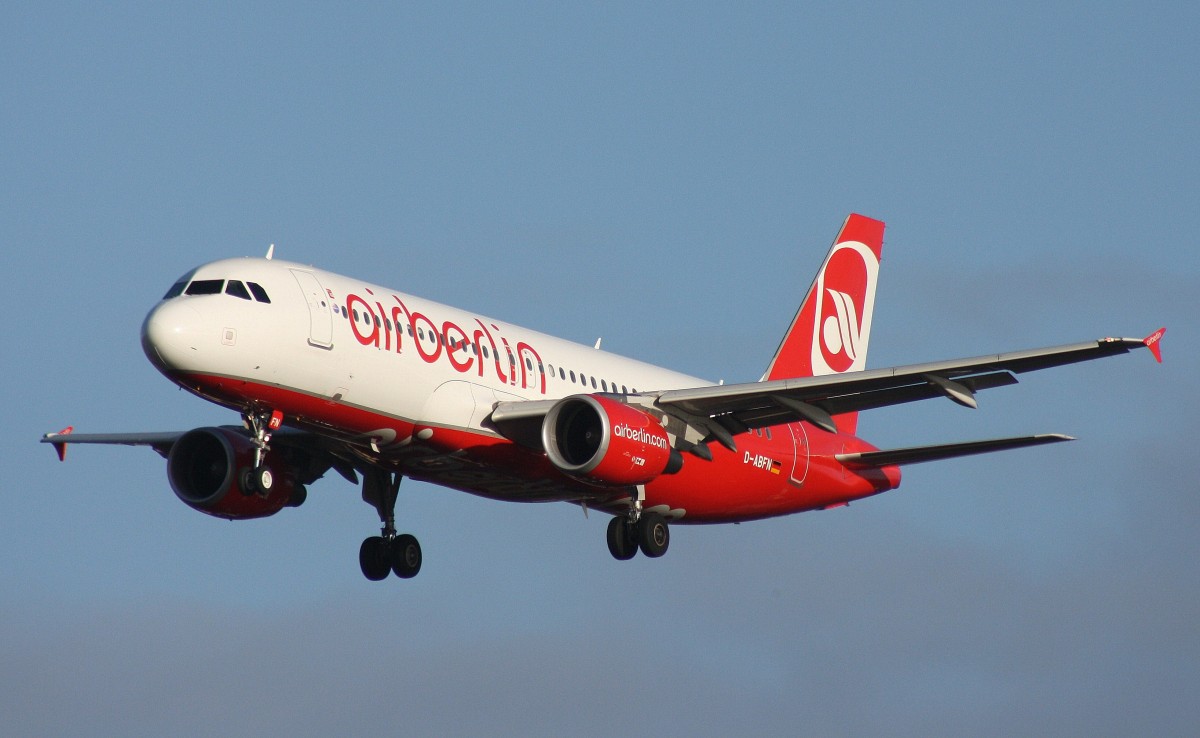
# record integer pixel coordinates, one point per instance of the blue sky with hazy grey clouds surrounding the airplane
(667, 177)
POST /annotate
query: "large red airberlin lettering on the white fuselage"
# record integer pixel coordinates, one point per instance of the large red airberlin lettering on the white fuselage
(466, 352)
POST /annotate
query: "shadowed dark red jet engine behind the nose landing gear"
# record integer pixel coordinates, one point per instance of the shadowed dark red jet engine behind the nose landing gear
(207, 471)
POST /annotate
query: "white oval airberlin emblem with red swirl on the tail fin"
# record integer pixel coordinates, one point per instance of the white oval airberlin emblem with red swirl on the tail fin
(845, 293)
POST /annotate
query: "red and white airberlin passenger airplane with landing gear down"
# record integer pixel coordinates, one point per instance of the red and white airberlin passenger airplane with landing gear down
(333, 373)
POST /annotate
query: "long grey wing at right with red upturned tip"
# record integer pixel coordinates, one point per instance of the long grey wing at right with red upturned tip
(721, 412)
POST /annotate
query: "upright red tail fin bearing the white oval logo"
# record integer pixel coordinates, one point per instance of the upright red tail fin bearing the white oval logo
(831, 331)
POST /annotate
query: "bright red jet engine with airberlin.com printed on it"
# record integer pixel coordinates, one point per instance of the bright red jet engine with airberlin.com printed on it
(607, 442)
